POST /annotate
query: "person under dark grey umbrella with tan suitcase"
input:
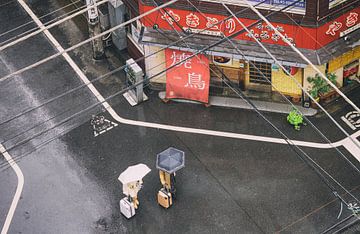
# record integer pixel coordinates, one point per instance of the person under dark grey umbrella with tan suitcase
(168, 162)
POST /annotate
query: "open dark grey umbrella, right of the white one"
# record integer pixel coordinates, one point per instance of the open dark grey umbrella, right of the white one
(170, 160)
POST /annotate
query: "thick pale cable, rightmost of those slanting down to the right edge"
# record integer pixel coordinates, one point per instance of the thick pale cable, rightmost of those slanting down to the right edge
(303, 56)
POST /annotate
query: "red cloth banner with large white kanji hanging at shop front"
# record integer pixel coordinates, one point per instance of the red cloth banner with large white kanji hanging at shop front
(189, 79)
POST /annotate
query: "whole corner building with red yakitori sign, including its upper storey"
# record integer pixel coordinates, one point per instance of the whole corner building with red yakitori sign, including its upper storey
(326, 32)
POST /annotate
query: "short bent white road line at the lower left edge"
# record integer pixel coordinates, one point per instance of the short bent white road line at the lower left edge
(19, 188)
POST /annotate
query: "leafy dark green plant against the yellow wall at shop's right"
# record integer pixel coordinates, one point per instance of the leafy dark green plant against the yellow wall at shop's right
(319, 85)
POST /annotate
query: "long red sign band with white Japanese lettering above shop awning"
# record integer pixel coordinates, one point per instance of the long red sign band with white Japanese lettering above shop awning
(301, 37)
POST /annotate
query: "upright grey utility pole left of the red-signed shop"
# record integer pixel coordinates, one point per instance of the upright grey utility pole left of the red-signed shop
(95, 29)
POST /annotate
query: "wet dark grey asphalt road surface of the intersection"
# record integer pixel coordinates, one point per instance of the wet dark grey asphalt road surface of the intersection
(227, 186)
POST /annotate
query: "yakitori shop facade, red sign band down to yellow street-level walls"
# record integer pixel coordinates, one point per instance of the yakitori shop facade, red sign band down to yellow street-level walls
(320, 43)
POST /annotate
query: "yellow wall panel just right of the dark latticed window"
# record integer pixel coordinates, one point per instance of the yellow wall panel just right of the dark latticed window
(285, 84)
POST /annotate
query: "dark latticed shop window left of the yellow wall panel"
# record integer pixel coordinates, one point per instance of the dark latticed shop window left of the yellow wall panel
(258, 77)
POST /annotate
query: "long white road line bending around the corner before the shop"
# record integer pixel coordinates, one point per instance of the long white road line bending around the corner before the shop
(112, 112)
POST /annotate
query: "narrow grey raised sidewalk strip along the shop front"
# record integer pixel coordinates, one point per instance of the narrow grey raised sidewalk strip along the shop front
(241, 104)
